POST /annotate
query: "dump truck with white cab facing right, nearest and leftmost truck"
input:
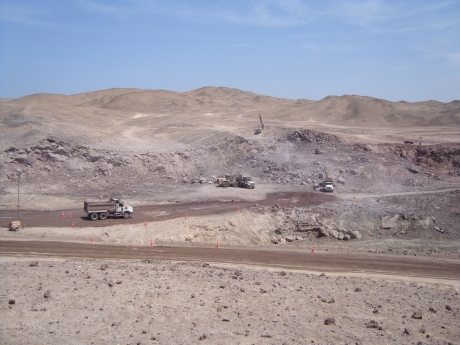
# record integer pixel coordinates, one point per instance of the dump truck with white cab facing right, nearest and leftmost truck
(101, 209)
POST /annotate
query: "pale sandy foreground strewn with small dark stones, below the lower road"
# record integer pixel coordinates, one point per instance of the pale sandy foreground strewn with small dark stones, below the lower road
(145, 302)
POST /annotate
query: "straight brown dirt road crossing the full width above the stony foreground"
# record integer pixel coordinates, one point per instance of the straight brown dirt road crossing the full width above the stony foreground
(329, 262)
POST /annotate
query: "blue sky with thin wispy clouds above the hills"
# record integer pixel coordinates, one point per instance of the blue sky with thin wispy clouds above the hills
(395, 50)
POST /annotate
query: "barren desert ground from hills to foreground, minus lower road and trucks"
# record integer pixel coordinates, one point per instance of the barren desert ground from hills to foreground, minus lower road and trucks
(396, 170)
